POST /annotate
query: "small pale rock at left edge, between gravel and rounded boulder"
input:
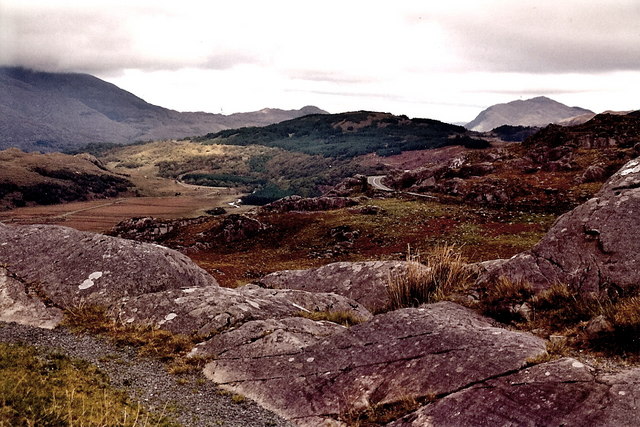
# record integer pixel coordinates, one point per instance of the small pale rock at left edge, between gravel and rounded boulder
(18, 305)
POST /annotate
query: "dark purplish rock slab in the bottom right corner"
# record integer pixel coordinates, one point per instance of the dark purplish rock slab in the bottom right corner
(563, 392)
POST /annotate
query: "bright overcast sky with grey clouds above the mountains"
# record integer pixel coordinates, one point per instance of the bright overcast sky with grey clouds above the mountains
(446, 60)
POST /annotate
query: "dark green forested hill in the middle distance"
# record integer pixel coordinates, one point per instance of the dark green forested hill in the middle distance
(348, 135)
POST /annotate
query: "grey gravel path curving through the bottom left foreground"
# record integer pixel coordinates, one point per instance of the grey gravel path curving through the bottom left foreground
(193, 400)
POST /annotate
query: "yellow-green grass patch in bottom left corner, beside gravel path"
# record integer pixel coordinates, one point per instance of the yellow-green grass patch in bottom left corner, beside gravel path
(53, 390)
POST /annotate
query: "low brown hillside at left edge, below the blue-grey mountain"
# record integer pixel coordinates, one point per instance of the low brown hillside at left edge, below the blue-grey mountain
(44, 179)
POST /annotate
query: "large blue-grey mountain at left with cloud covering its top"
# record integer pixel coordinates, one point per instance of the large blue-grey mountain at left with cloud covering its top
(42, 111)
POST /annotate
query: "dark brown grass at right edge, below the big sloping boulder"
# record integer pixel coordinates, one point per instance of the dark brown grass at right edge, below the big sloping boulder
(562, 311)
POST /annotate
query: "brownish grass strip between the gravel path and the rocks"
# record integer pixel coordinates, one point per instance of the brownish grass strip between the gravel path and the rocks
(150, 341)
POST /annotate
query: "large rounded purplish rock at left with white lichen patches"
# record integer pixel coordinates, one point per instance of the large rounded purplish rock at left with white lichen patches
(68, 265)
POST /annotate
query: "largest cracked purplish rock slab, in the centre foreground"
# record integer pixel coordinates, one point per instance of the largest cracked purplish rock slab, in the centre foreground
(435, 349)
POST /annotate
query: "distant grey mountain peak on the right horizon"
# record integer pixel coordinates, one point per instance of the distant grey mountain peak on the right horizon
(539, 111)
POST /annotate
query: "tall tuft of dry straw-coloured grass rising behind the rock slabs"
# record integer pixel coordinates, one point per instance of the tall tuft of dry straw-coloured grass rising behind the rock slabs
(442, 274)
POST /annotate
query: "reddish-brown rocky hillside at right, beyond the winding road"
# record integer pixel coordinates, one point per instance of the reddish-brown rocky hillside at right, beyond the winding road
(552, 170)
